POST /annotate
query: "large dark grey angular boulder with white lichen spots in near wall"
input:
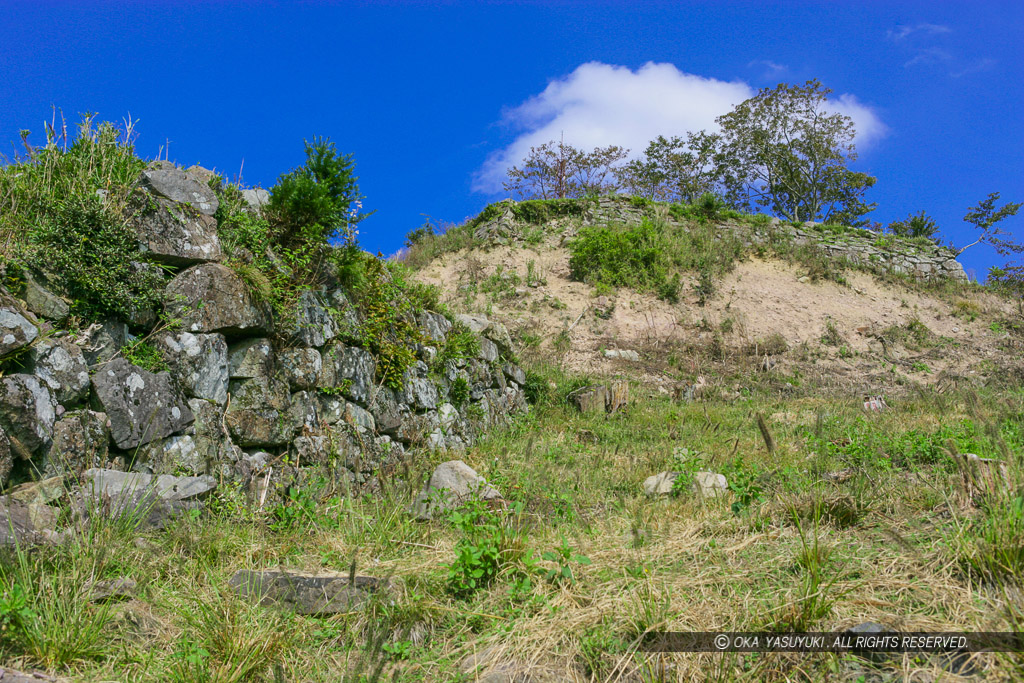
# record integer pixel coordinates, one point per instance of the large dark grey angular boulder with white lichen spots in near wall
(142, 406)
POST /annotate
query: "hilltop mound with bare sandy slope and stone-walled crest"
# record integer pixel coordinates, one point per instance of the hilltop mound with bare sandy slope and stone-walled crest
(843, 308)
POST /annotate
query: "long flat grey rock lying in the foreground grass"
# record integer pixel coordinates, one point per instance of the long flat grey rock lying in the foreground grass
(316, 595)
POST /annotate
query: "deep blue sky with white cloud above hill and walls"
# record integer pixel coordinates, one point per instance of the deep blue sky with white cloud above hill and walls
(432, 98)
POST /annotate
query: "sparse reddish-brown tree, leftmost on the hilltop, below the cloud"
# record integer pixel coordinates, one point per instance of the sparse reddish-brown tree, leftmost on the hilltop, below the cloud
(558, 170)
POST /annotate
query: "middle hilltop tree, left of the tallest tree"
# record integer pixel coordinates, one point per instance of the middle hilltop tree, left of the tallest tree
(674, 169)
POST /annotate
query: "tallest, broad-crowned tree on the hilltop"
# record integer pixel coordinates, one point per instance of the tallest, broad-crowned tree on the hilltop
(783, 150)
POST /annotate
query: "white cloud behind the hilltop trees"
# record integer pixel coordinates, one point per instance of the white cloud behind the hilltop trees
(601, 105)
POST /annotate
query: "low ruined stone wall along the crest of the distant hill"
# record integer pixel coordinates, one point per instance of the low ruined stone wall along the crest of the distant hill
(872, 250)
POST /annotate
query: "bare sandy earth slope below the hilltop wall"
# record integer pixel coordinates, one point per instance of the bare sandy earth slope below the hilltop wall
(865, 334)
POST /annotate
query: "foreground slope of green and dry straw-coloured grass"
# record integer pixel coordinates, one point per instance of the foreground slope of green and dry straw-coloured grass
(897, 543)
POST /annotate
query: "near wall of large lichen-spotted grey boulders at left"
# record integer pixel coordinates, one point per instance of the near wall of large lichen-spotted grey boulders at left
(247, 398)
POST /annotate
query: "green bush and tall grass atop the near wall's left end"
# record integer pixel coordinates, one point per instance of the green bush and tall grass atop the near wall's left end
(64, 212)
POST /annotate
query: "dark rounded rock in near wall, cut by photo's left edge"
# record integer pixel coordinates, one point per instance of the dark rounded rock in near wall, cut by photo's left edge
(28, 412)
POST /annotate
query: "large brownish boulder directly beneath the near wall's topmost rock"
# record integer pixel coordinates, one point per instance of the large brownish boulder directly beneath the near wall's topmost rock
(176, 234)
